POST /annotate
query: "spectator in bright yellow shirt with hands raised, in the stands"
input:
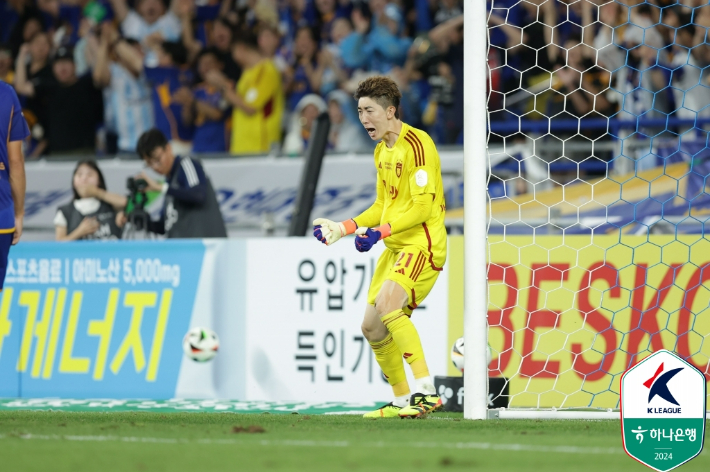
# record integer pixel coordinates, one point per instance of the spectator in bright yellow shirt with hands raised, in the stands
(257, 101)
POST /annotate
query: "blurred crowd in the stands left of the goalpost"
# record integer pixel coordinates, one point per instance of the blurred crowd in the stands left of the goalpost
(240, 76)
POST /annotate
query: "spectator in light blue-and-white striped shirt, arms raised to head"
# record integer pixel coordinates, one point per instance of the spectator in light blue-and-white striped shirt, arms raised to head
(128, 111)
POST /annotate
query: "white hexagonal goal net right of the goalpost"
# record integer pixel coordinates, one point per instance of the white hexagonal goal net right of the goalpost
(598, 116)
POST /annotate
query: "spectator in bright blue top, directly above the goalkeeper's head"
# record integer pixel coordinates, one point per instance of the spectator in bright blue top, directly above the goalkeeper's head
(377, 49)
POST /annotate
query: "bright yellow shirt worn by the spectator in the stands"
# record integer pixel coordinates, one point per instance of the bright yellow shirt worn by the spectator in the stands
(260, 87)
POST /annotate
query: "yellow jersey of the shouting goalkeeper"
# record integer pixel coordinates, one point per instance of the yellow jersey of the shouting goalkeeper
(409, 168)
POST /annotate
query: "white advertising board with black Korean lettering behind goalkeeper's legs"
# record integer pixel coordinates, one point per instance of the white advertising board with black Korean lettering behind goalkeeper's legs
(305, 304)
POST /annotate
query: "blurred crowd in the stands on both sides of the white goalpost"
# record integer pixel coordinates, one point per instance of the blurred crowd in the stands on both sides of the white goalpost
(251, 76)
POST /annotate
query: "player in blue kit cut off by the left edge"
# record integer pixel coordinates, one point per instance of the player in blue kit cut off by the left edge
(13, 130)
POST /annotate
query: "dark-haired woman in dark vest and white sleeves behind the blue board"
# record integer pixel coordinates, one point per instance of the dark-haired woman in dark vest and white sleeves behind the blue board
(92, 212)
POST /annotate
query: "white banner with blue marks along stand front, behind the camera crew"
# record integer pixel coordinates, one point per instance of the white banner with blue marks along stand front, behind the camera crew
(247, 188)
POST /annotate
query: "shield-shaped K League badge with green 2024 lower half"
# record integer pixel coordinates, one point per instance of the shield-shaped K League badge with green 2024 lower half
(663, 411)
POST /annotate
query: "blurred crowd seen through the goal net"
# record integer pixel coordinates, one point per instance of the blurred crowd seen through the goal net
(591, 59)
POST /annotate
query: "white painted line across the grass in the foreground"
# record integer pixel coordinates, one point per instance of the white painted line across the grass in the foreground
(307, 443)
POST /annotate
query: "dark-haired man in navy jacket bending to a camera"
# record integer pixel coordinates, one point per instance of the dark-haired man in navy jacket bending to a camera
(190, 209)
